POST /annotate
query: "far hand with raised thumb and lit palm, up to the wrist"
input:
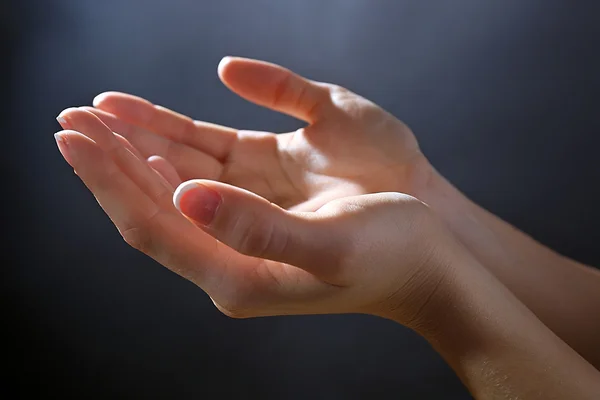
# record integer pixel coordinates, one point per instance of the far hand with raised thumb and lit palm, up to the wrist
(349, 146)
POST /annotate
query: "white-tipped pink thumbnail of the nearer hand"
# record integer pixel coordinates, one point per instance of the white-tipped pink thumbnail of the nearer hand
(198, 202)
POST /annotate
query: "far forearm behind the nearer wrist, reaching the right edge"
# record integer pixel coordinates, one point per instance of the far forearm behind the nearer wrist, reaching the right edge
(563, 294)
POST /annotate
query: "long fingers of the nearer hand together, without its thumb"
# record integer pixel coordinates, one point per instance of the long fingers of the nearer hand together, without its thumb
(131, 193)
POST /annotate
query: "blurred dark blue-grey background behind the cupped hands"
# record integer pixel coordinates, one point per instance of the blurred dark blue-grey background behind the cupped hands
(503, 96)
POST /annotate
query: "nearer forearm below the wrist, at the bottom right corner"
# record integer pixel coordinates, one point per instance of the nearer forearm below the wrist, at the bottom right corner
(498, 348)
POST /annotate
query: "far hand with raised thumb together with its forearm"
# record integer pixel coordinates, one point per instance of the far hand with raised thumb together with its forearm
(350, 146)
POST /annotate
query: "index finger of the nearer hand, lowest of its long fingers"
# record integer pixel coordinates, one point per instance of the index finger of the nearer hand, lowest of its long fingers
(164, 235)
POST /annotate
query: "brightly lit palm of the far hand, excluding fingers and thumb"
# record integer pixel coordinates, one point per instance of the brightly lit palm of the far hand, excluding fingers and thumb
(361, 150)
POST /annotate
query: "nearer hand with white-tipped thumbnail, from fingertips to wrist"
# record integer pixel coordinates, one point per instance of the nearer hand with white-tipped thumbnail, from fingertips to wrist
(384, 254)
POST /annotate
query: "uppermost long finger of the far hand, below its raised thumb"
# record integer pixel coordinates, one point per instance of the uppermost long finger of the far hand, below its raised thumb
(210, 138)
